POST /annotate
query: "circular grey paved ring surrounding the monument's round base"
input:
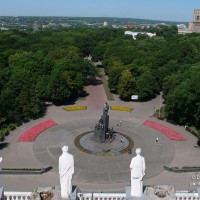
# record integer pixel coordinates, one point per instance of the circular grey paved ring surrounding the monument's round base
(105, 170)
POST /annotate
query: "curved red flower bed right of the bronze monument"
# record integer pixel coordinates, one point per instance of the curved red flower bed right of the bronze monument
(171, 134)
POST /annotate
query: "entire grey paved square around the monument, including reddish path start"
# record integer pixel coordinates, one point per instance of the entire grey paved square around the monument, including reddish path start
(99, 173)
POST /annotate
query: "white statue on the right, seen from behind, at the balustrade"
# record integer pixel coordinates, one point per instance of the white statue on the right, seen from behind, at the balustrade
(137, 167)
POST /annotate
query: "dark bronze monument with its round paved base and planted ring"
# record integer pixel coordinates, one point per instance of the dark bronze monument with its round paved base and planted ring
(104, 140)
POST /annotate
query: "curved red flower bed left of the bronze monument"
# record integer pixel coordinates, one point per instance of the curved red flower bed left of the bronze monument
(32, 133)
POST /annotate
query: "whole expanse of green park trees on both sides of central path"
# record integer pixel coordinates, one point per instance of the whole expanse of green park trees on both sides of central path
(49, 65)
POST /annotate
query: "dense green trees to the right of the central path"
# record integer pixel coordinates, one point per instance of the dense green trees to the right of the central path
(168, 62)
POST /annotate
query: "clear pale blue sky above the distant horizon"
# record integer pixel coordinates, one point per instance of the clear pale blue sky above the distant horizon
(167, 10)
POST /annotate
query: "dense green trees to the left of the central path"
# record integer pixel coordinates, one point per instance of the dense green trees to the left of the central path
(39, 67)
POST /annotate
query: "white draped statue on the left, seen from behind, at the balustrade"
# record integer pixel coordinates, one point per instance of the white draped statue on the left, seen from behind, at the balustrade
(66, 169)
